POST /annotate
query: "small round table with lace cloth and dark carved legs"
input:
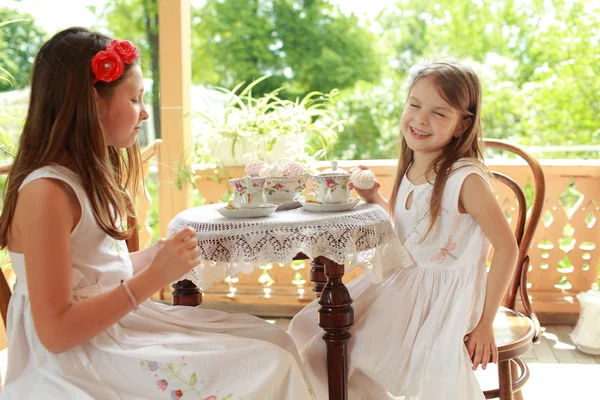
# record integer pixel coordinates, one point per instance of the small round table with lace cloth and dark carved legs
(362, 236)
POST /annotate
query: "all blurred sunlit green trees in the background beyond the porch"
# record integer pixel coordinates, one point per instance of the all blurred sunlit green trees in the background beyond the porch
(537, 59)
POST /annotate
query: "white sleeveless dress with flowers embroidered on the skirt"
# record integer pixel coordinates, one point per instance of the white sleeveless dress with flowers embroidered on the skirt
(155, 352)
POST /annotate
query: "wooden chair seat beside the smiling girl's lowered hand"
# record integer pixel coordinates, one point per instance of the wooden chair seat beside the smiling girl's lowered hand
(513, 333)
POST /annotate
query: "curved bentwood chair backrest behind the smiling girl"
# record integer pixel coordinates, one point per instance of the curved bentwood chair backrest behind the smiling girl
(525, 226)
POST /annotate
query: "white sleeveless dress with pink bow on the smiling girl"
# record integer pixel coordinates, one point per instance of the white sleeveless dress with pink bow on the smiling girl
(408, 334)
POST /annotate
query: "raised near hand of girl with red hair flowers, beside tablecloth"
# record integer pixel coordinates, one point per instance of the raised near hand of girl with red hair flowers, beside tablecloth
(177, 255)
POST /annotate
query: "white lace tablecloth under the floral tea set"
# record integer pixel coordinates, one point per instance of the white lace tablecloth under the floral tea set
(362, 237)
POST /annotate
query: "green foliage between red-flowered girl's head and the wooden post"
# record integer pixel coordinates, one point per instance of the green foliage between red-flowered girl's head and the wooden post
(137, 21)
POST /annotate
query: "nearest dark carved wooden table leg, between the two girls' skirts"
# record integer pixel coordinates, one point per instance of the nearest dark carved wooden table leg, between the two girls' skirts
(336, 316)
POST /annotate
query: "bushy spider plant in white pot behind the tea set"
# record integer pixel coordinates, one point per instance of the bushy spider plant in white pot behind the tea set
(265, 128)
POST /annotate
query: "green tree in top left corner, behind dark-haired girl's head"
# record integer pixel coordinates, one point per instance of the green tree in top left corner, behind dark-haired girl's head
(19, 43)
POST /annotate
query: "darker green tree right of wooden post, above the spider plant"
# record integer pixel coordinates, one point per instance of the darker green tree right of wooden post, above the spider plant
(309, 44)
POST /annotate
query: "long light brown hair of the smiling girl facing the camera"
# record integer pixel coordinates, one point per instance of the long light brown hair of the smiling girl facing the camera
(460, 87)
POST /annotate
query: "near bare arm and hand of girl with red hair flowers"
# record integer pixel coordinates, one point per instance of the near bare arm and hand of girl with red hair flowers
(44, 219)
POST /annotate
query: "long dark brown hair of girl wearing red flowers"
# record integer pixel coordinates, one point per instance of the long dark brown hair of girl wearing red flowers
(62, 127)
